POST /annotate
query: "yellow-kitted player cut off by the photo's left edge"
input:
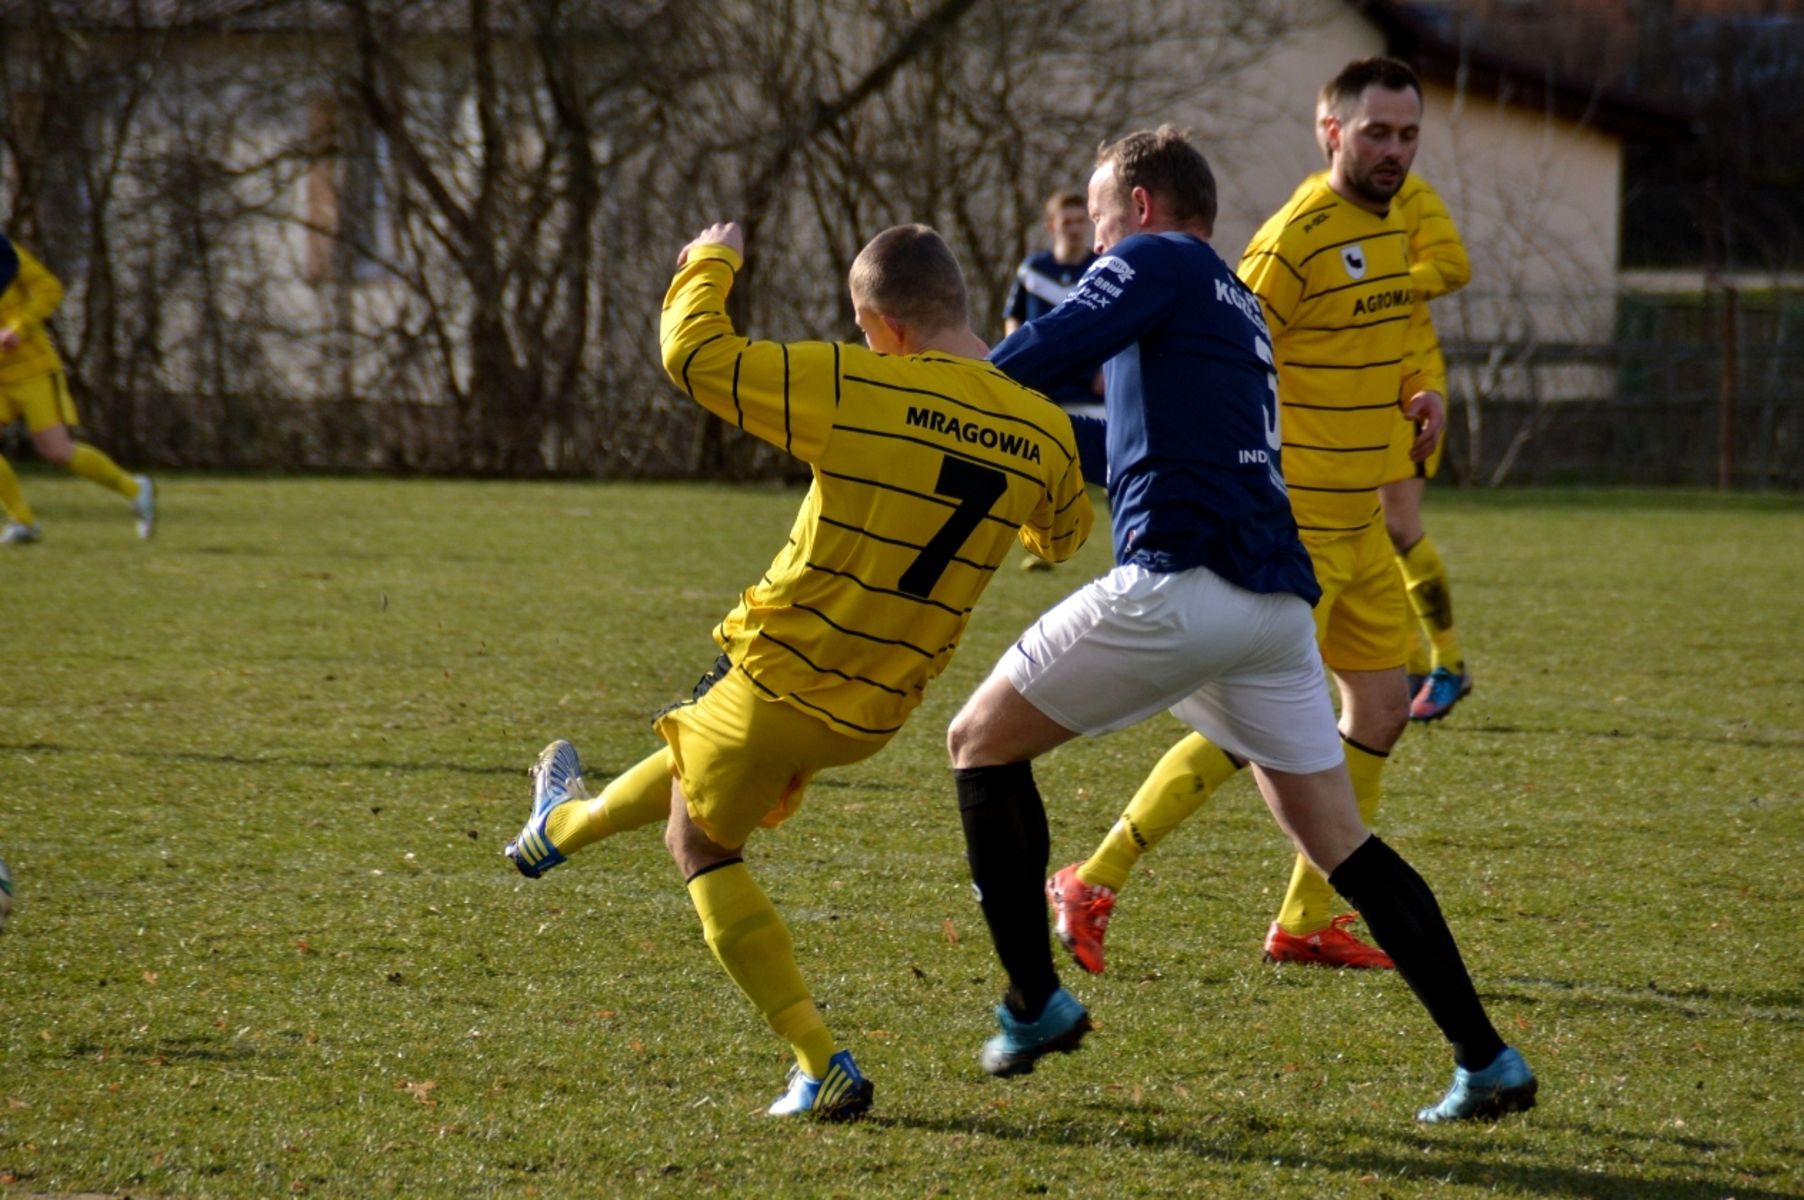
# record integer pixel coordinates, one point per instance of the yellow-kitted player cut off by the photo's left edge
(33, 387)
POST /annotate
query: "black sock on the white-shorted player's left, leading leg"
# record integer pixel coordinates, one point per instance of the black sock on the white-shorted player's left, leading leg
(1008, 845)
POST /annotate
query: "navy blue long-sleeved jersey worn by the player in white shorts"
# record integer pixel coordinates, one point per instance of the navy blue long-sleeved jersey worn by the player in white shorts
(1192, 443)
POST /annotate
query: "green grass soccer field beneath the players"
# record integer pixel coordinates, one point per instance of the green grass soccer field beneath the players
(255, 780)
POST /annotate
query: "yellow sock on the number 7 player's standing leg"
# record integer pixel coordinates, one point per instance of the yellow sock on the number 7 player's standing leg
(755, 946)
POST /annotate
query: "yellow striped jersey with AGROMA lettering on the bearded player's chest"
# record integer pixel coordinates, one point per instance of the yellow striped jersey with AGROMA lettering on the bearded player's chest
(1338, 295)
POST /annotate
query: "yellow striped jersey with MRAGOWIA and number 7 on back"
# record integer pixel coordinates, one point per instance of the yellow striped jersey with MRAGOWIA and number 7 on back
(926, 474)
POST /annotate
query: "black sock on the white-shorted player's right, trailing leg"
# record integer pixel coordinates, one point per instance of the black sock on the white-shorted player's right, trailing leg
(1403, 916)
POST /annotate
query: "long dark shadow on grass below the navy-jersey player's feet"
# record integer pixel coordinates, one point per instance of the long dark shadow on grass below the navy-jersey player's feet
(1237, 1140)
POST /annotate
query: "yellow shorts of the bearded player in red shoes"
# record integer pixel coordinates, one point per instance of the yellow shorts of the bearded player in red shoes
(1363, 622)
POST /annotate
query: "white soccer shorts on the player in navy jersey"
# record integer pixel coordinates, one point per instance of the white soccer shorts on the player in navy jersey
(1237, 667)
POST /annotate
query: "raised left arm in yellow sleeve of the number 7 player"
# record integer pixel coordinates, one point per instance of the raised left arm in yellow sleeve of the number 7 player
(773, 391)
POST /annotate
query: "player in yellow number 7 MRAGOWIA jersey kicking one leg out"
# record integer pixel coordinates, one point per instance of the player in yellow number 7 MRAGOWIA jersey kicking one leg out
(930, 466)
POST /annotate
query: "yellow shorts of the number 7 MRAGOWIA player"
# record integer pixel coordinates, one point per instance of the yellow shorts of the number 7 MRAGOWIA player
(744, 761)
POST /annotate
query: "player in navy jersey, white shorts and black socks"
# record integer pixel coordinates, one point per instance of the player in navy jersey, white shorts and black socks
(1206, 614)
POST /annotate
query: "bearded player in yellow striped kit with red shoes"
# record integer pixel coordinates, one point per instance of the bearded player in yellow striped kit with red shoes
(1332, 270)
